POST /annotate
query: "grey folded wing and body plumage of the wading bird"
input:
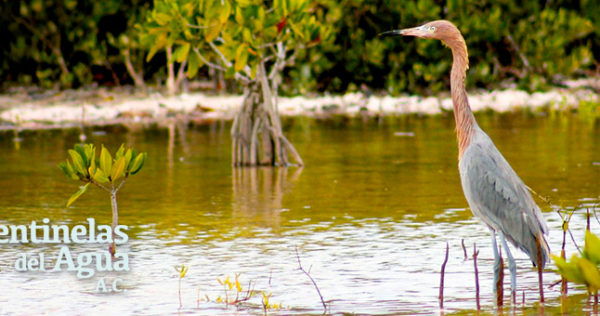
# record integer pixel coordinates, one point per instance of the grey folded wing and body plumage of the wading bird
(499, 197)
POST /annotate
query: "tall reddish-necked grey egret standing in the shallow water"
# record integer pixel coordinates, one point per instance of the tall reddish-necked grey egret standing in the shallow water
(492, 188)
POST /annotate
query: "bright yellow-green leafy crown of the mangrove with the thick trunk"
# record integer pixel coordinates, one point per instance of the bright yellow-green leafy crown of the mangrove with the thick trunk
(236, 38)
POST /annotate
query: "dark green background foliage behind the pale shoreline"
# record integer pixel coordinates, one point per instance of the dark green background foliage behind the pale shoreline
(54, 43)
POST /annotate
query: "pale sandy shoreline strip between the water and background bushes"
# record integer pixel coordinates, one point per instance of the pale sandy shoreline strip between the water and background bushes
(104, 107)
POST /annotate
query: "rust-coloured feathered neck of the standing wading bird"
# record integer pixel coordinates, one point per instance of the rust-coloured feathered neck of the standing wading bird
(465, 121)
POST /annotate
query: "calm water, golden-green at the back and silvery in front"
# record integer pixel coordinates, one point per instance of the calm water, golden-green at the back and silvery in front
(370, 214)
